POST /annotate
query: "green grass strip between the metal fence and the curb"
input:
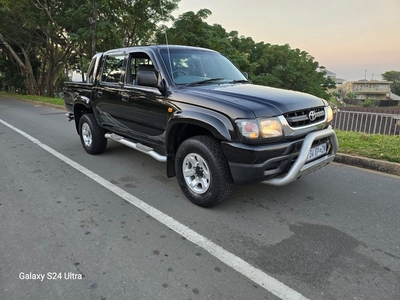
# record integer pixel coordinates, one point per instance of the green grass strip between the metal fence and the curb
(376, 146)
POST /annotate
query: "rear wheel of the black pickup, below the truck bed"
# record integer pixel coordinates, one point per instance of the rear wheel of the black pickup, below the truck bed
(92, 135)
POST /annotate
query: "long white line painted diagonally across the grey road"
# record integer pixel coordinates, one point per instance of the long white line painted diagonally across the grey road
(263, 279)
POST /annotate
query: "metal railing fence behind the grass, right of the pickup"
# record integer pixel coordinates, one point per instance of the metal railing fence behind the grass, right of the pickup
(367, 122)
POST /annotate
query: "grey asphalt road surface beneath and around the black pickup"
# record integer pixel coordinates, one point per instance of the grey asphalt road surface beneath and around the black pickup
(334, 234)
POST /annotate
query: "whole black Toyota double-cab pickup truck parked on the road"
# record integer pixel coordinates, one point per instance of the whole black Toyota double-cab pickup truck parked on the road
(193, 109)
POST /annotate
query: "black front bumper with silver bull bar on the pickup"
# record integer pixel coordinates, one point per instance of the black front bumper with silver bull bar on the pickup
(279, 164)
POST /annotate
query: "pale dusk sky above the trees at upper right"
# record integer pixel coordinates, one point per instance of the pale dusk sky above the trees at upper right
(348, 37)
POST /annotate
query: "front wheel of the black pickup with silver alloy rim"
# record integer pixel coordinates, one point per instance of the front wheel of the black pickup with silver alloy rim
(202, 171)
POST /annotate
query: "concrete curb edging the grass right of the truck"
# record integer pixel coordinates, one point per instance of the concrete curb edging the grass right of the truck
(369, 163)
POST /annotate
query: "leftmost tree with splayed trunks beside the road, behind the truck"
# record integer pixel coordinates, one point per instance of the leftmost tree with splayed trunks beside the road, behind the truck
(36, 30)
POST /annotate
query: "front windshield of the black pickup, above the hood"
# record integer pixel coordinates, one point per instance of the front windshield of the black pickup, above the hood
(197, 66)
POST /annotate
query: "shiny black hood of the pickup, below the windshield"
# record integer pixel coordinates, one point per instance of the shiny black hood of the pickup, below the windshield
(262, 101)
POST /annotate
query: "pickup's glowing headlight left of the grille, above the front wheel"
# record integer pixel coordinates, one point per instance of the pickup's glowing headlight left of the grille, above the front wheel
(260, 128)
